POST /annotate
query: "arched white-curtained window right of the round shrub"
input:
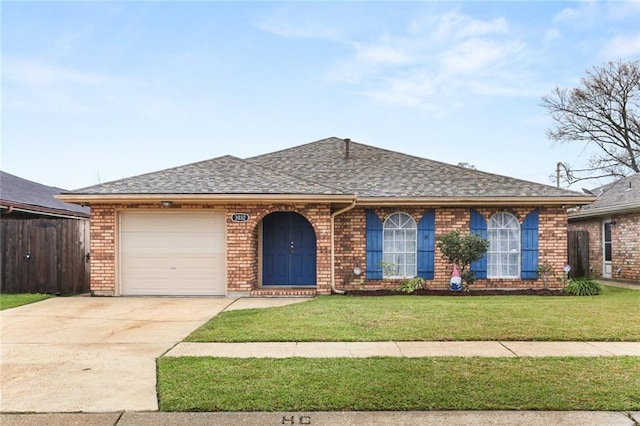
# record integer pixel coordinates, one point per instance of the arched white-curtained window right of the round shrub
(503, 256)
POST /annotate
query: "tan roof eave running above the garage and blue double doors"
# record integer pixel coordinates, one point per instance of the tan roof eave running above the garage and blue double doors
(88, 199)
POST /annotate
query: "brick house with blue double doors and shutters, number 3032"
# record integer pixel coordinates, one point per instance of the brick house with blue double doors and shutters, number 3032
(313, 219)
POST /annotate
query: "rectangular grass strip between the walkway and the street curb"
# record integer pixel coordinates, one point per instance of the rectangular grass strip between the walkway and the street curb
(399, 384)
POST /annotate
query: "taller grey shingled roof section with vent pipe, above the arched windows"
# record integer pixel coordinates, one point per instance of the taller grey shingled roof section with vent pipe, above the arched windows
(374, 172)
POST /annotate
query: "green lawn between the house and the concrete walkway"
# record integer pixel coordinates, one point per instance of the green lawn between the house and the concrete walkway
(611, 316)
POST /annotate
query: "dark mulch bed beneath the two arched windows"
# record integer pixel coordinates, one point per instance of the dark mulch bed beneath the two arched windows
(471, 292)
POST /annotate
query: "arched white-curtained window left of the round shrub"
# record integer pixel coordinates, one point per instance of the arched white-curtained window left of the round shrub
(399, 246)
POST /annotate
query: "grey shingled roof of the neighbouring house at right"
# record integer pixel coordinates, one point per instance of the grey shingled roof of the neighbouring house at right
(620, 196)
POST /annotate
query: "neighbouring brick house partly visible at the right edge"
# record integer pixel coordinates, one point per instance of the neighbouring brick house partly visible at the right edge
(612, 222)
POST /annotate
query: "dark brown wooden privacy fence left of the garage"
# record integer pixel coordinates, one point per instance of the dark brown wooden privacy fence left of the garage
(45, 255)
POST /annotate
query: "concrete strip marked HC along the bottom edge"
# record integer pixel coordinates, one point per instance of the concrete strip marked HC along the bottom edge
(420, 418)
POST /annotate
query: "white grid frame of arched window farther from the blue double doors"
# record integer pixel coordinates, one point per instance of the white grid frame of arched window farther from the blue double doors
(492, 265)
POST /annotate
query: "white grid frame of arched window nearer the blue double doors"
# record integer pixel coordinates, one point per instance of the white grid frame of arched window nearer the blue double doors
(406, 253)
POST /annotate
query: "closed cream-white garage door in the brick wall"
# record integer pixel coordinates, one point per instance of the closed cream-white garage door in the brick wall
(172, 254)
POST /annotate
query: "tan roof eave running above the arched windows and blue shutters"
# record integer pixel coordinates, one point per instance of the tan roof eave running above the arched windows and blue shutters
(475, 201)
